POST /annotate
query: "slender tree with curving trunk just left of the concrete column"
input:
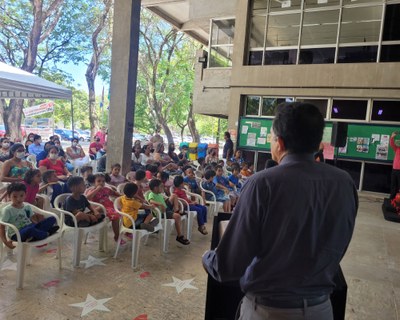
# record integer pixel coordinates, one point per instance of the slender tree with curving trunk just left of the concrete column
(101, 41)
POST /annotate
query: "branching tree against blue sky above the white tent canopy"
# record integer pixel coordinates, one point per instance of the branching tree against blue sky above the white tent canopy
(32, 36)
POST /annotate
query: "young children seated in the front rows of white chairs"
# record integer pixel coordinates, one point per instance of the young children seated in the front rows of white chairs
(145, 189)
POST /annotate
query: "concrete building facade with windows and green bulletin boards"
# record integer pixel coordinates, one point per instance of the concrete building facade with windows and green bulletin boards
(341, 55)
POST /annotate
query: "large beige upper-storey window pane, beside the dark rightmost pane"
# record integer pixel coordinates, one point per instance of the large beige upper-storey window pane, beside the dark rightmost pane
(361, 24)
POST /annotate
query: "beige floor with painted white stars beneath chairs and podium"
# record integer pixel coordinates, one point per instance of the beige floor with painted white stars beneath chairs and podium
(371, 267)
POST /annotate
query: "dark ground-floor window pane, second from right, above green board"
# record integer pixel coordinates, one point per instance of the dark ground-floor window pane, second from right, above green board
(349, 109)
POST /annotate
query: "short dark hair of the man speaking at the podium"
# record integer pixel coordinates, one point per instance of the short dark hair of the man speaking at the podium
(300, 126)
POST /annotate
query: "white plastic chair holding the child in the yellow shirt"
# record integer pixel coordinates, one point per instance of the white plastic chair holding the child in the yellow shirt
(137, 234)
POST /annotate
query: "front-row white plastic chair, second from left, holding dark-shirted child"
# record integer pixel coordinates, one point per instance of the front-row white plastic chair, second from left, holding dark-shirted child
(79, 233)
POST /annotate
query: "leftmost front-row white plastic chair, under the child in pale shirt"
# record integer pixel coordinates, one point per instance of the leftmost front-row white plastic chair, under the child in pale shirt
(24, 248)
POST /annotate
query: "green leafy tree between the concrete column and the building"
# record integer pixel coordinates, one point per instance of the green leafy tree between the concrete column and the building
(165, 74)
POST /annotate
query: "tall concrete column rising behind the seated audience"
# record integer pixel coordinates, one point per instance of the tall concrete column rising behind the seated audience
(124, 63)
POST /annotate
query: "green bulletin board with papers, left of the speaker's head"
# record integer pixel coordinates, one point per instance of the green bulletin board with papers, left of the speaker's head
(255, 133)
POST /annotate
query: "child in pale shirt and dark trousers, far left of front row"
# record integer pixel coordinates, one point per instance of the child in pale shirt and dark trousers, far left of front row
(31, 226)
